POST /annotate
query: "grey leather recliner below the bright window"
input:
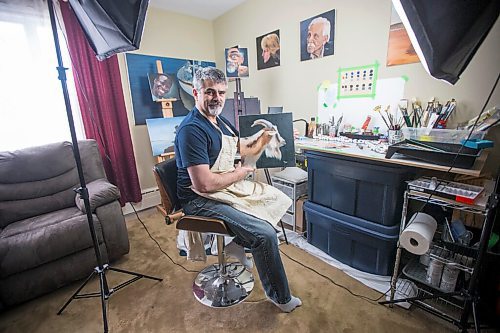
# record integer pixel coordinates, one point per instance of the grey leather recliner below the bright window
(45, 241)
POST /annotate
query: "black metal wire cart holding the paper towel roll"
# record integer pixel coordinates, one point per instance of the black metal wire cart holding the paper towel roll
(410, 284)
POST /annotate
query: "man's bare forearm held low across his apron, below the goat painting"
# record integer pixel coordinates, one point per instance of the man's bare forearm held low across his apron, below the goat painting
(206, 181)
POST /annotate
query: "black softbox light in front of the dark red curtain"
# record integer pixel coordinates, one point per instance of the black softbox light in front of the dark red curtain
(111, 26)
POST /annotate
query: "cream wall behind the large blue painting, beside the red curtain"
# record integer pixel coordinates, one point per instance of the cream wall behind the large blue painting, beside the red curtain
(166, 34)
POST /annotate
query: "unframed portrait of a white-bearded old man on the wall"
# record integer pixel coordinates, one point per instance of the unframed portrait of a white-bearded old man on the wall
(316, 36)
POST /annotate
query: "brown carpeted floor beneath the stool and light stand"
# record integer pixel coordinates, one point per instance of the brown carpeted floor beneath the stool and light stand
(169, 306)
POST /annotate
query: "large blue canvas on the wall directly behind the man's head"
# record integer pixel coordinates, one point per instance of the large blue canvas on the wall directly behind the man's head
(138, 68)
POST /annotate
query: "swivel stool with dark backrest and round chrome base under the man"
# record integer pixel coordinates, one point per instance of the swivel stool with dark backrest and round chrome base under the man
(219, 285)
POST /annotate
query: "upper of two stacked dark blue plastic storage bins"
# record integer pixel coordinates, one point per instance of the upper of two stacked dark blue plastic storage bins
(370, 191)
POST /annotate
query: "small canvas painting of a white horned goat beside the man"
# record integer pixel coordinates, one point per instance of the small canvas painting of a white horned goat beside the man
(266, 140)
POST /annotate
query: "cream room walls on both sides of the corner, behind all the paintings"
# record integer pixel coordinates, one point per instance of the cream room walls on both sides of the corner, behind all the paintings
(361, 37)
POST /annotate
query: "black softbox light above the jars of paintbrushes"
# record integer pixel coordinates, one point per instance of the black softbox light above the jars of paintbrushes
(447, 33)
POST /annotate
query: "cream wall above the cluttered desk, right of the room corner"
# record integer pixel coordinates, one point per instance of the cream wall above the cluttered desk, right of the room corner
(361, 37)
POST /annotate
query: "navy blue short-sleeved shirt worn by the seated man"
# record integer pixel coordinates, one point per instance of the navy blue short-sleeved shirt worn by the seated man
(197, 142)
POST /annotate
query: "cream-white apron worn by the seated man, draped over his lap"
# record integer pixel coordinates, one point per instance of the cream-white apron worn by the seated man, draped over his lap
(254, 198)
